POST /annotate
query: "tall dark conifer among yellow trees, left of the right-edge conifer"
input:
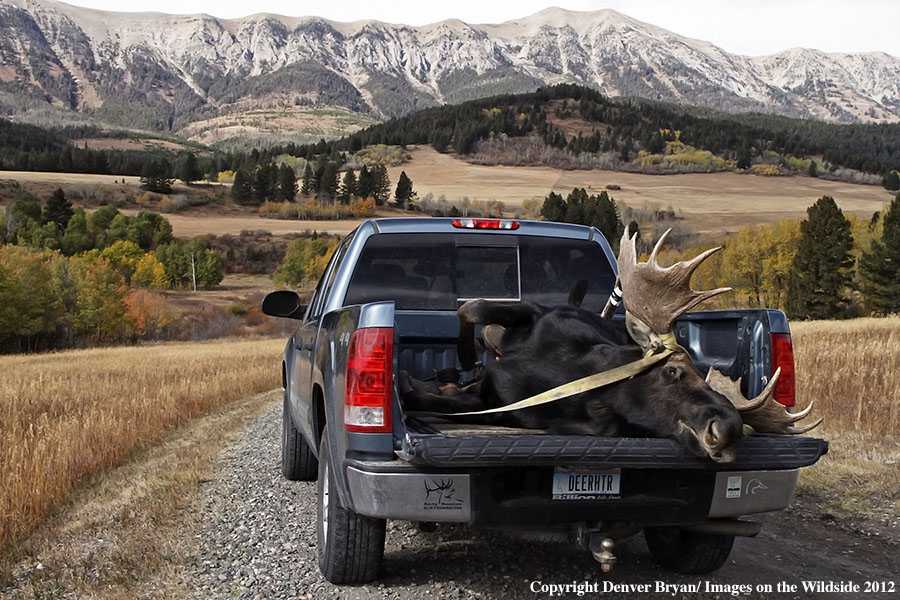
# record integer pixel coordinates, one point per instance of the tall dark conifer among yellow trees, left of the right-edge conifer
(821, 273)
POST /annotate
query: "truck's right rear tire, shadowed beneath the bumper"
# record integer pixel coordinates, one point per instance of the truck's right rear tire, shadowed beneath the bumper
(688, 552)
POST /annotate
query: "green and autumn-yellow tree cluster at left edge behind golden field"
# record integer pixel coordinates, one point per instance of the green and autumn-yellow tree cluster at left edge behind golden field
(70, 278)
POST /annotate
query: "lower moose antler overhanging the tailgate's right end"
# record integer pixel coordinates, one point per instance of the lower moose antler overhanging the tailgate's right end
(762, 413)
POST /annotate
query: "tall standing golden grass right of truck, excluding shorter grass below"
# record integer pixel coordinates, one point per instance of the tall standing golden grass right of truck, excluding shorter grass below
(852, 371)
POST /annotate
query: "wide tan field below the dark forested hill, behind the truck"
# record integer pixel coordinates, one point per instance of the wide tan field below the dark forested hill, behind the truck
(709, 203)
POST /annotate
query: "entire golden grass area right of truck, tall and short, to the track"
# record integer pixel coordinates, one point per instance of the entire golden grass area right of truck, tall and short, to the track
(852, 371)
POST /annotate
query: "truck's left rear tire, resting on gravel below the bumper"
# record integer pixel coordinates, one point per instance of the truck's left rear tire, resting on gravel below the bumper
(350, 546)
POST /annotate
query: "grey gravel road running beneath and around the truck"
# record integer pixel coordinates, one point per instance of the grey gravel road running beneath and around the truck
(257, 540)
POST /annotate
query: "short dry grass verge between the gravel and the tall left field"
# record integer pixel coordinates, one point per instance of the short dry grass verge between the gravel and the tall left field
(129, 532)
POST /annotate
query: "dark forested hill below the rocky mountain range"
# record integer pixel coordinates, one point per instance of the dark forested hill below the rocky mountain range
(632, 135)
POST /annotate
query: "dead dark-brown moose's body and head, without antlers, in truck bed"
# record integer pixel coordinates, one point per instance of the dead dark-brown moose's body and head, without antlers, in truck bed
(539, 348)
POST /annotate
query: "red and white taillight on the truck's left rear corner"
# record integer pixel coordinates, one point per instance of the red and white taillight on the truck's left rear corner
(367, 398)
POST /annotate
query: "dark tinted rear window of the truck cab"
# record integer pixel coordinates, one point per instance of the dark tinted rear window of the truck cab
(439, 272)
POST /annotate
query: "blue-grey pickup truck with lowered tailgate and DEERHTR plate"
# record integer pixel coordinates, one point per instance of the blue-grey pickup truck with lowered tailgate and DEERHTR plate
(387, 303)
